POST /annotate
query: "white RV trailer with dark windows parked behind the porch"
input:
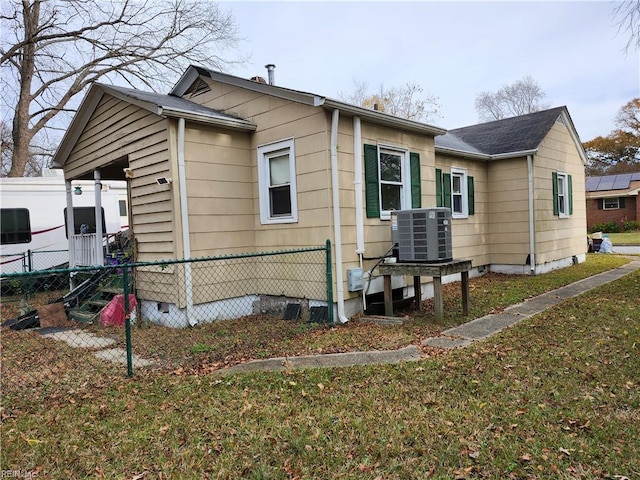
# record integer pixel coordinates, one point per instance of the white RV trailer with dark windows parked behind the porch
(32, 215)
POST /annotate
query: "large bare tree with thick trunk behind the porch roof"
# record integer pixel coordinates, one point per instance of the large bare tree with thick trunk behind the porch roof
(51, 50)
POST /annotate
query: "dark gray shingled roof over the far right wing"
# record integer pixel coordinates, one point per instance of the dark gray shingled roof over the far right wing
(515, 134)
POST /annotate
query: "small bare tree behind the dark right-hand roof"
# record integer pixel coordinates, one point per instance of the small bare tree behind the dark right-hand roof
(519, 98)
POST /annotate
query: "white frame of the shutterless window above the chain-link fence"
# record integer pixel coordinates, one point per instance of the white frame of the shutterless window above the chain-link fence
(265, 153)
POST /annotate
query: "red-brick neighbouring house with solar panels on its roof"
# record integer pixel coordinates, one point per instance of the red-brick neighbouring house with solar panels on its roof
(613, 198)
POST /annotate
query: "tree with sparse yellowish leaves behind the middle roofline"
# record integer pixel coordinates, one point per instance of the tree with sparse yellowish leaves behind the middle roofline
(406, 101)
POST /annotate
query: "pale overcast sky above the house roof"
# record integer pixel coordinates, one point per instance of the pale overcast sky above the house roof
(452, 49)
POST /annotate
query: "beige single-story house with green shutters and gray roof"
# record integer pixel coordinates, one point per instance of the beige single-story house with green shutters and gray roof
(226, 165)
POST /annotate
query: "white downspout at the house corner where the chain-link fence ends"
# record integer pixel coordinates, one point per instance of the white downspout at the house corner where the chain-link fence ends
(337, 229)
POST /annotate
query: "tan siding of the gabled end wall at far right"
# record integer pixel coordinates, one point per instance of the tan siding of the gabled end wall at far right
(559, 238)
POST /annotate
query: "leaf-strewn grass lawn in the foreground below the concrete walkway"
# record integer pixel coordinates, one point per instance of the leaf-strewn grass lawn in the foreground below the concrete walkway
(556, 396)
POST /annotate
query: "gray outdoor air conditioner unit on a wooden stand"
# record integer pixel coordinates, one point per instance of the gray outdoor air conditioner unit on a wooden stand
(422, 235)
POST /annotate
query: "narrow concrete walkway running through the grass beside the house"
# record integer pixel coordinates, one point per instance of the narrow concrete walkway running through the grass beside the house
(456, 337)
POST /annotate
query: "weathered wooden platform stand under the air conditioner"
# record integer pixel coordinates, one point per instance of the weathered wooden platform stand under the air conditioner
(435, 270)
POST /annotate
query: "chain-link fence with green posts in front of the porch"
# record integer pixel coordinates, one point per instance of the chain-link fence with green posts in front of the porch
(71, 328)
